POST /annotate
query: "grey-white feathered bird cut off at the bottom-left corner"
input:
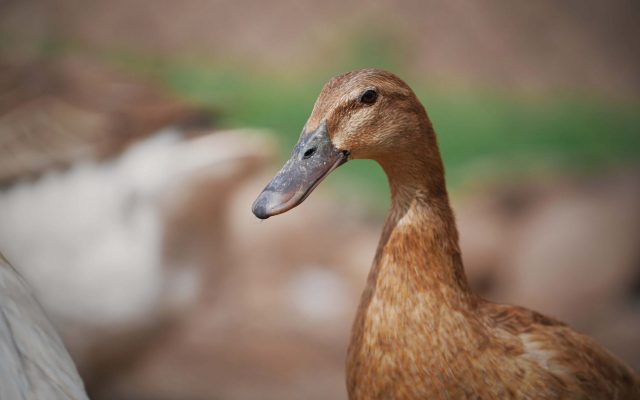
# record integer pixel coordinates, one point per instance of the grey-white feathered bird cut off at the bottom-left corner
(35, 362)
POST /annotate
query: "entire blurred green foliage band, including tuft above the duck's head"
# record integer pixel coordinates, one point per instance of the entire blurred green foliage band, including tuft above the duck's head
(483, 133)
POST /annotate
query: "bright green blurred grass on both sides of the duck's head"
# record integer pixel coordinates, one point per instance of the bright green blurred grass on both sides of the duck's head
(480, 134)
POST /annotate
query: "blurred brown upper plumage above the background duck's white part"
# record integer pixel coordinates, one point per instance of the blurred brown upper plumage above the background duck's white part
(57, 113)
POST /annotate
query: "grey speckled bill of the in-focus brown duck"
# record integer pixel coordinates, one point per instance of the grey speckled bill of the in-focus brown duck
(312, 159)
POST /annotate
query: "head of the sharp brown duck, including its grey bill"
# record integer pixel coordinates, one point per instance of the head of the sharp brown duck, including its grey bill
(361, 114)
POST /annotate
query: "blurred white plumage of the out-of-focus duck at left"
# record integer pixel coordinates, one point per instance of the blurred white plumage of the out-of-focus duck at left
(89, 238)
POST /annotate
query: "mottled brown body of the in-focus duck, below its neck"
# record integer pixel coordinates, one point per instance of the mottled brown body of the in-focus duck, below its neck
(420, 333)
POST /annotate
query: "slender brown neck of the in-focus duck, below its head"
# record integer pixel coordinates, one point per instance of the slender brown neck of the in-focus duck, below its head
(419, 246)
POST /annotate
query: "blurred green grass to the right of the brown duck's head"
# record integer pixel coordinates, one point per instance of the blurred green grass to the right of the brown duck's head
(523, 134)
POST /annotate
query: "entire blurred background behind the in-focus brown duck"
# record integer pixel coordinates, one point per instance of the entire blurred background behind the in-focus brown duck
(135, 135)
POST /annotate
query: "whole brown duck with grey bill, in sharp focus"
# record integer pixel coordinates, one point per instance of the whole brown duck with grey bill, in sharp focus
(420, 331)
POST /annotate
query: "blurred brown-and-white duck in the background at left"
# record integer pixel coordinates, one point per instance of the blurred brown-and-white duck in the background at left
(93, 166)
